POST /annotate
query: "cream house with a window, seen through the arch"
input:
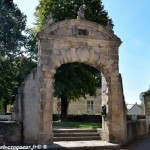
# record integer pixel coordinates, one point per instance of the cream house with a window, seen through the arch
(90, 105)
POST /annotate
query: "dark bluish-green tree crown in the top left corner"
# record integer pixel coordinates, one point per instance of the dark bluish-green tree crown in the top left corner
(12, 24)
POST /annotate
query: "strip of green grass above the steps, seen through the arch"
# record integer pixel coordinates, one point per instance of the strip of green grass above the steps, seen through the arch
(77, 125)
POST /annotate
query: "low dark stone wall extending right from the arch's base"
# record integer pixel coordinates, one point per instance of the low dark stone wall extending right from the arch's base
(136, 129)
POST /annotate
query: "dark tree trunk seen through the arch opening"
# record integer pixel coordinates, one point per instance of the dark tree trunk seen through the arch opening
(64, 107)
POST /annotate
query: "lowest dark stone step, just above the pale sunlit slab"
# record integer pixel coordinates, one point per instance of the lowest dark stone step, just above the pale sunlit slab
(81, 138)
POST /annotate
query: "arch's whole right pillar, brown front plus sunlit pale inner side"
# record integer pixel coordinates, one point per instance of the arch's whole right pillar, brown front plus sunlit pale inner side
(114, 127)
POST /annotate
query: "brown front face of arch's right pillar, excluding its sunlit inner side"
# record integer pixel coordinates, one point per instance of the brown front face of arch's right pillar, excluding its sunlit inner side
(118, 120)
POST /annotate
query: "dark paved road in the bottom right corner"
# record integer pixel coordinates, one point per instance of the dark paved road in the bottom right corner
(142, 144)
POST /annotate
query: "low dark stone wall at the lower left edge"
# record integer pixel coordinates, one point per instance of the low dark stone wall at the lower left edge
(10, 132)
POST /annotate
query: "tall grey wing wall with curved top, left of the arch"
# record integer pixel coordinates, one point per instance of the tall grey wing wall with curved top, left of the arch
(27, 105)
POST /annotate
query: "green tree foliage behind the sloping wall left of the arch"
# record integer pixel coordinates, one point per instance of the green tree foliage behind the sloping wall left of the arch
(12, 74)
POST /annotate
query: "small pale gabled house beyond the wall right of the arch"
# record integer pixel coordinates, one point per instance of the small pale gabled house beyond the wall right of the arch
(134, 109)
